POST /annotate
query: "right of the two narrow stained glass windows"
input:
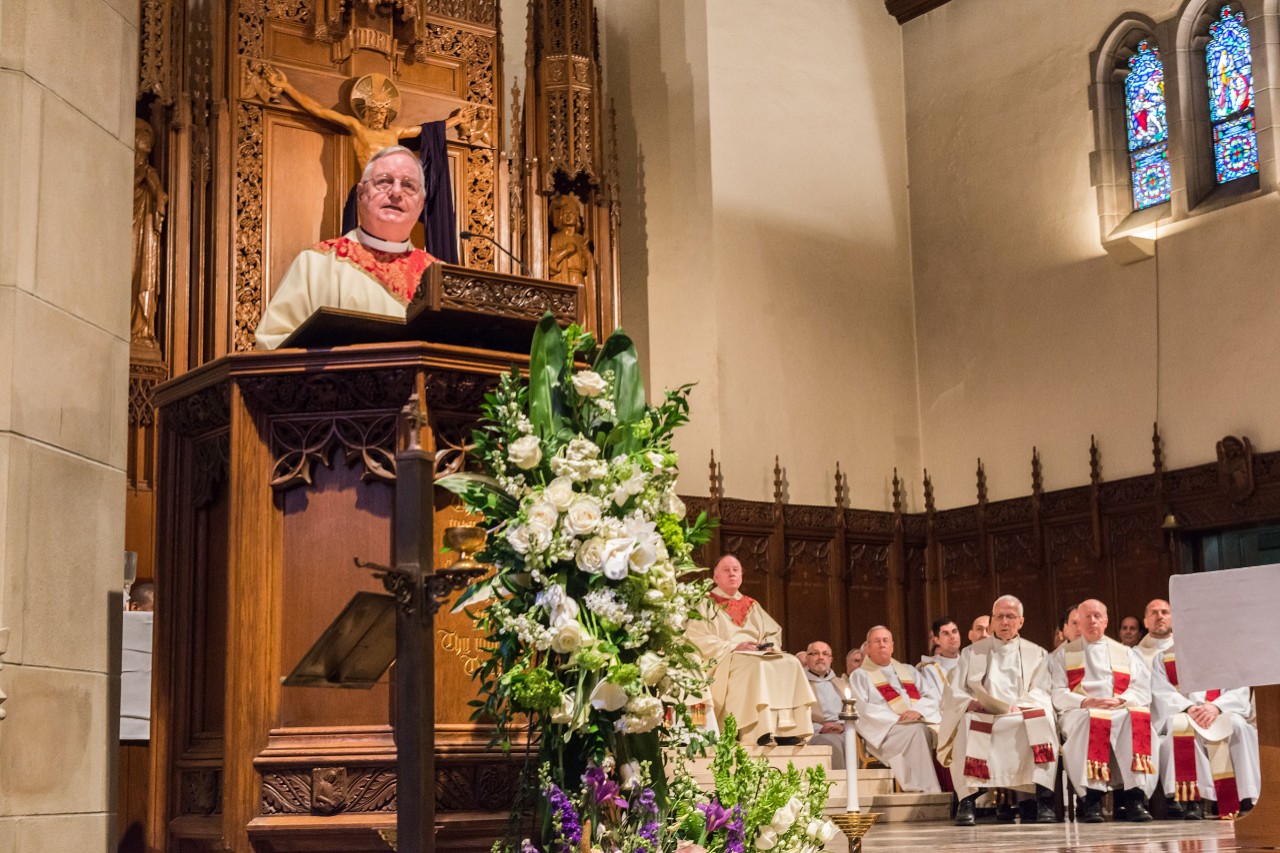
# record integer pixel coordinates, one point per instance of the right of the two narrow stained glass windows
(1231, 97)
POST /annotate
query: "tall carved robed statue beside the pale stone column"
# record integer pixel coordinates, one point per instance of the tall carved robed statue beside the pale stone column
(149, 209)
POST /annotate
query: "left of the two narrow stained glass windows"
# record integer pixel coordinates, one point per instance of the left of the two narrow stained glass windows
(1149, 127)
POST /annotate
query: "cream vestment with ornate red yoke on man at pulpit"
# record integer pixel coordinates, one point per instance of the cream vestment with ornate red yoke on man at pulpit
(355, 272)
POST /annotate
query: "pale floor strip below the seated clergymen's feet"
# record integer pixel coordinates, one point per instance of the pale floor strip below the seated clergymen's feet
(1159, 837)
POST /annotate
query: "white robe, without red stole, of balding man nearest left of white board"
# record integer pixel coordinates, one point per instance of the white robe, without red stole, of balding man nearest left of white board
(1073, 720)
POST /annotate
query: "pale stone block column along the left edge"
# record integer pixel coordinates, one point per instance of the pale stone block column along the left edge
(67, 94)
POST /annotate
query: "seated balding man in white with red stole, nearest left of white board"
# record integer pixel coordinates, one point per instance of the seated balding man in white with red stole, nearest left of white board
(1103, 694)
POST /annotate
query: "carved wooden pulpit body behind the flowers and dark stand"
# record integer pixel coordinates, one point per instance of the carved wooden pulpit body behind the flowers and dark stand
(277, 475)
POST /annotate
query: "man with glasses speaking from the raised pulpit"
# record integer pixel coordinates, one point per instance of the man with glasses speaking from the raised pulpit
(374, 270)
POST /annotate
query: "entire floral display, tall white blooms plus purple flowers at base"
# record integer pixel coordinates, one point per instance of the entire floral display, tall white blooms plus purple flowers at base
(586, 617)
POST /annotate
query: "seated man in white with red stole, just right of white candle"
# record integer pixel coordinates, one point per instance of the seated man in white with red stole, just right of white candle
(895, 711)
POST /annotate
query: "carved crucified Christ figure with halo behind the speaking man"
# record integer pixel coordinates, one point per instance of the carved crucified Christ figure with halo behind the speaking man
(374, 102)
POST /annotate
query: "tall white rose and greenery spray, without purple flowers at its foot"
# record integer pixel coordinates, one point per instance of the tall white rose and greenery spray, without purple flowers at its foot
(593, 580)
